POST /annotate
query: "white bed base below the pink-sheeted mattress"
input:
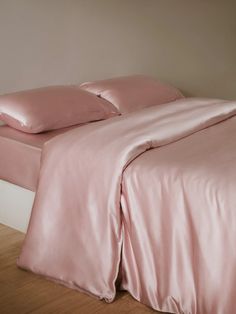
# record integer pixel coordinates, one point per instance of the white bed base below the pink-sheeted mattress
(15, 205)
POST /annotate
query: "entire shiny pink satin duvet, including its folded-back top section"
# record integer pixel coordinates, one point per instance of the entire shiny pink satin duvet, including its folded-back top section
(171, 211)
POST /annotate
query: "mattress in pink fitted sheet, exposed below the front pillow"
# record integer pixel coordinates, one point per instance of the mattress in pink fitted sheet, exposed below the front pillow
(20, 155)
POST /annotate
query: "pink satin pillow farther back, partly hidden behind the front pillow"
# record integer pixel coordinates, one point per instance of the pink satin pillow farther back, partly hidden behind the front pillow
(133, 92)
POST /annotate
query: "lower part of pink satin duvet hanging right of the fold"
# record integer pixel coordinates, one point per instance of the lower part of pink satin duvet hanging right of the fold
(179, 215)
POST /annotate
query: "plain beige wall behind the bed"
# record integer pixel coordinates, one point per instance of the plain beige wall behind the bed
(190, 43)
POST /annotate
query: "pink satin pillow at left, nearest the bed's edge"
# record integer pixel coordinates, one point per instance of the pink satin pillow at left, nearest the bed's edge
(53, 107)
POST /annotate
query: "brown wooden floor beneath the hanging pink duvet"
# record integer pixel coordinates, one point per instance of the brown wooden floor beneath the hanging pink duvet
(22, 292)
